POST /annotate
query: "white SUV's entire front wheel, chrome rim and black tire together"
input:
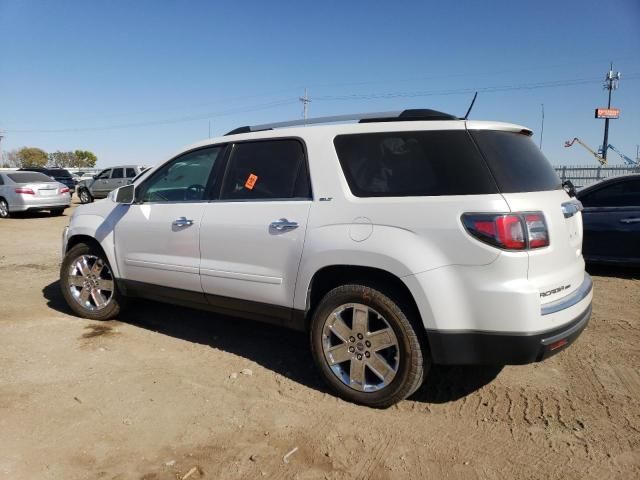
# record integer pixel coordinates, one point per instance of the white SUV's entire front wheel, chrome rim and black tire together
(88, 284)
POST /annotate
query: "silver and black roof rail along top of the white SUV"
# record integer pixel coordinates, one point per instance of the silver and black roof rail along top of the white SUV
(397, 116)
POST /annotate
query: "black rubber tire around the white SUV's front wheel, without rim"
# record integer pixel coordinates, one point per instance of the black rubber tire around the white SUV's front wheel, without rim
(115, 303)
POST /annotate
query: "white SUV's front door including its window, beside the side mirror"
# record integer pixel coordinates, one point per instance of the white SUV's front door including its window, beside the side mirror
(157, 238)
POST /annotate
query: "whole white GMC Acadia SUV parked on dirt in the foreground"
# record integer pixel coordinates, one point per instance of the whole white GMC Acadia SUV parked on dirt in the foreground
(402, 240)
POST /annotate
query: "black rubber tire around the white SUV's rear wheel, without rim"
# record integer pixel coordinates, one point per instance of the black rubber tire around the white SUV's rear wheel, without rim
(413, 361)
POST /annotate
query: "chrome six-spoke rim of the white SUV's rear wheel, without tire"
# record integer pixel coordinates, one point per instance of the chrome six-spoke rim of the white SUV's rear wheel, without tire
(360, 347)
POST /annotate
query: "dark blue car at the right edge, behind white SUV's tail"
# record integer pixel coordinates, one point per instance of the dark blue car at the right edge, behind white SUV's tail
(611, 218)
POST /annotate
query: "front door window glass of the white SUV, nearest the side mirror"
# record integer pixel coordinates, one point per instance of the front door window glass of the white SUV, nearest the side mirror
(184, 179)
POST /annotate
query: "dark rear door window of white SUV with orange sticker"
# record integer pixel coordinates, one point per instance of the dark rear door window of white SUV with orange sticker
(272, 169)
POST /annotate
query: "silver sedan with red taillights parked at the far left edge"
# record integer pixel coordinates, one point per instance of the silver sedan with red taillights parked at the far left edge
(29, 191)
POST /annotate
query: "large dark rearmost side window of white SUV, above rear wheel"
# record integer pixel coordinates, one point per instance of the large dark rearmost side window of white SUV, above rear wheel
(420, 163)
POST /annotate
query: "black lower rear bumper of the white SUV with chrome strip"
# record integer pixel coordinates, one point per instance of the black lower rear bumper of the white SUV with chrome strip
(516, 348)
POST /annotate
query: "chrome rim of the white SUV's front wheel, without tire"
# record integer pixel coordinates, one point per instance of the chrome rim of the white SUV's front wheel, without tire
(90, 282)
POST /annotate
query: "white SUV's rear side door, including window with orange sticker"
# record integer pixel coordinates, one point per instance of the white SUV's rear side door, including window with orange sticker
(251, 238)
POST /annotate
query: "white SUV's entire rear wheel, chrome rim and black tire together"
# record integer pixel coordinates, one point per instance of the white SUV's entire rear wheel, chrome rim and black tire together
(365, 346)
